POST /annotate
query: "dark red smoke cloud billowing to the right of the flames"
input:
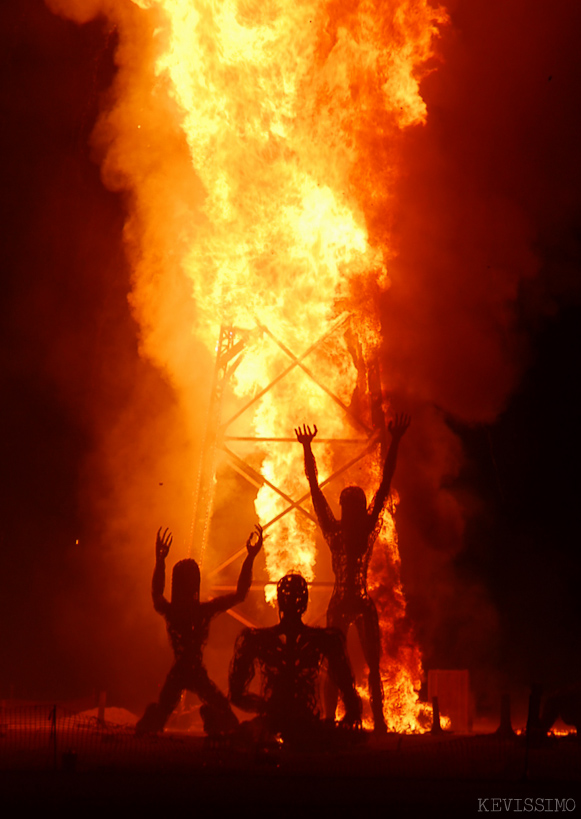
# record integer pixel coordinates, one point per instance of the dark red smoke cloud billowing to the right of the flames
(485, 189)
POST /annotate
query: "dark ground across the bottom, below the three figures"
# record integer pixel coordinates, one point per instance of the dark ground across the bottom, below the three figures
(410, 775)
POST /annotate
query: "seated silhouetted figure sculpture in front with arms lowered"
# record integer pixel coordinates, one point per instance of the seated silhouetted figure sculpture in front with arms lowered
(290, 656)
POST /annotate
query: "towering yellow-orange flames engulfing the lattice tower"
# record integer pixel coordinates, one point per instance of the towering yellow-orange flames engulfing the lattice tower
(242, 130)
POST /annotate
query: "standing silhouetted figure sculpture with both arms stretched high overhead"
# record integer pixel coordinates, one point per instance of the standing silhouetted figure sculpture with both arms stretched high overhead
(351, 540)
